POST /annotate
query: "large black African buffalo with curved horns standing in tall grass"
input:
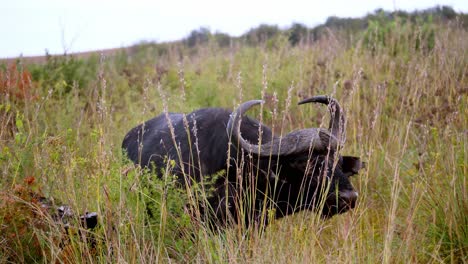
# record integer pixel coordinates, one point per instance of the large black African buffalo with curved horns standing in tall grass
(255, 169)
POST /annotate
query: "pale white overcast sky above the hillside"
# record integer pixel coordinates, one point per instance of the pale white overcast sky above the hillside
(29, 27)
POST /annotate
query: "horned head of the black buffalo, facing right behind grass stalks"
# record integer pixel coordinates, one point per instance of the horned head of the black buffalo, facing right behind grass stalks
(307, 163)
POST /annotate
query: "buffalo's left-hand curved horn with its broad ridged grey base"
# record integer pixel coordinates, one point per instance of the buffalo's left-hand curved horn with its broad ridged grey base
(298, 141)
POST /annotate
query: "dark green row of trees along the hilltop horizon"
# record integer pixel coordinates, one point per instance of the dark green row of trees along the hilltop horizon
(299, 33)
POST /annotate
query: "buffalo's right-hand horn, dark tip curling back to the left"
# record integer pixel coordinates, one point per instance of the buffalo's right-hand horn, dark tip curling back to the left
(337, 124)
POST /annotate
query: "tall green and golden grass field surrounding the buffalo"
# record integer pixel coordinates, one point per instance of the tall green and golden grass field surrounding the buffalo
(406, 100)
